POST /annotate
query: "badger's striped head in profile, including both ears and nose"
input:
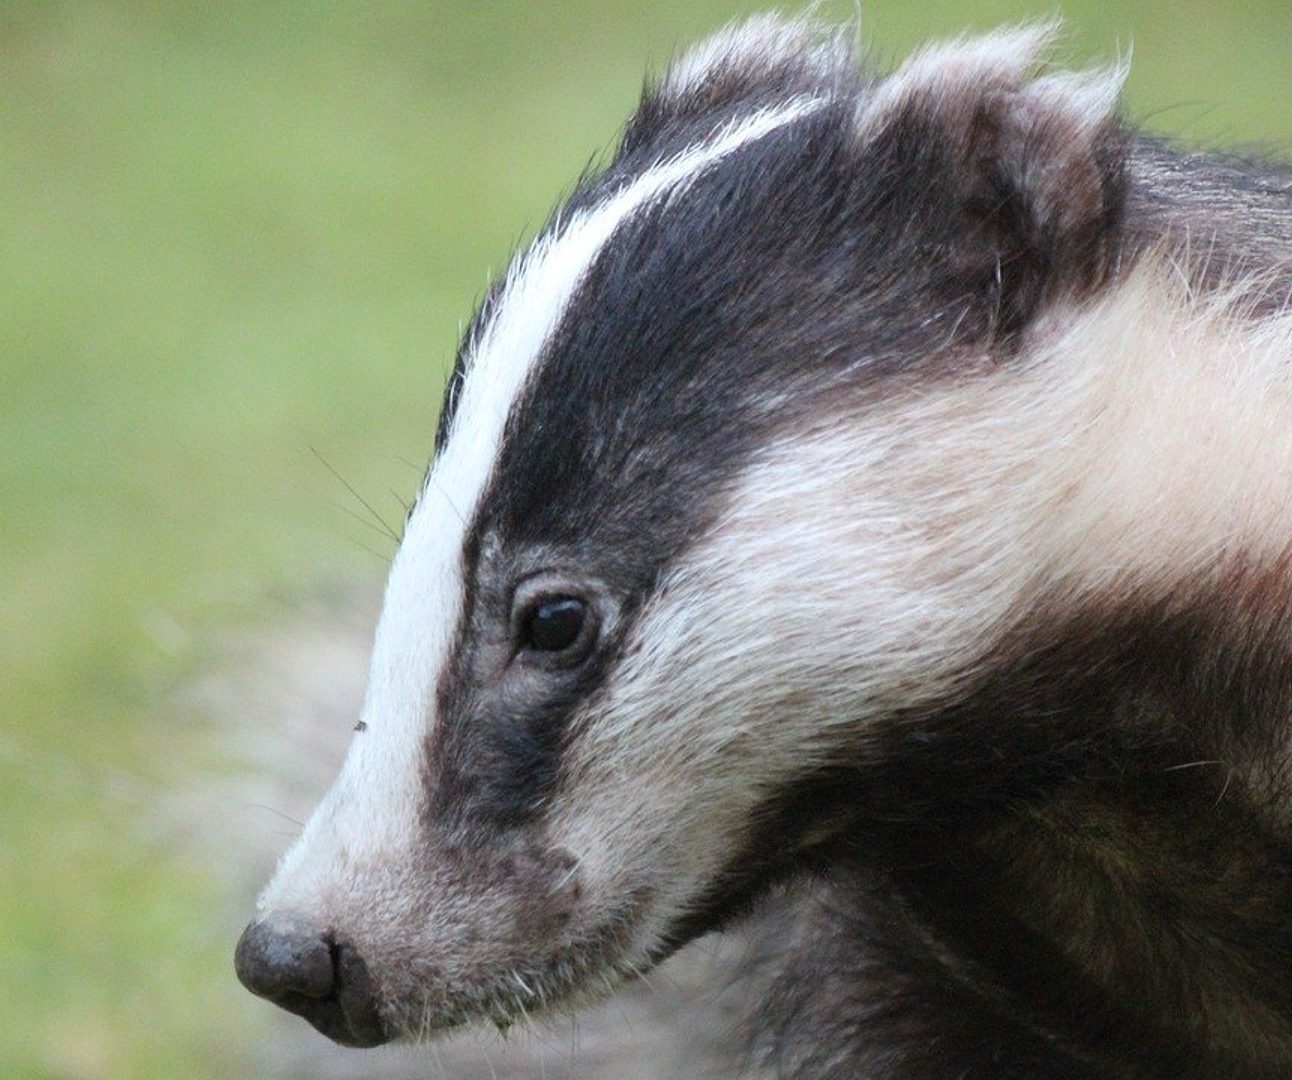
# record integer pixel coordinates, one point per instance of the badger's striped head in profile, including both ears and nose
(685, 545)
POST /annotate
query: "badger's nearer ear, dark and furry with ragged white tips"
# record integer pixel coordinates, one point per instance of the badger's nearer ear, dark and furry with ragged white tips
(1033, 169)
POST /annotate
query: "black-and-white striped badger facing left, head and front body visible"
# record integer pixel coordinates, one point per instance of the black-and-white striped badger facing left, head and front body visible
(868, 498)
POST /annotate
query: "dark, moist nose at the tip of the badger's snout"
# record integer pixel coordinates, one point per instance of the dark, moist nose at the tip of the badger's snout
(313, 976)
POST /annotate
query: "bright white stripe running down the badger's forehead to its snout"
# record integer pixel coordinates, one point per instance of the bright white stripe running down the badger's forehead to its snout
(373, 807)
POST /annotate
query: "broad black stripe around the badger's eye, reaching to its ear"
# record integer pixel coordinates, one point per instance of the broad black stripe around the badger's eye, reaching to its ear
(790, 282)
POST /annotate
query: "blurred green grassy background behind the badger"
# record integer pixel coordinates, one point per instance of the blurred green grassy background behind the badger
(233, 234)
